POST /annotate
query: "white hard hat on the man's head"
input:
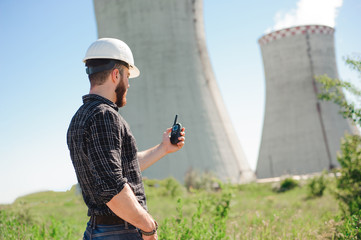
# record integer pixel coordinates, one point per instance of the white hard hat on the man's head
(112, 48)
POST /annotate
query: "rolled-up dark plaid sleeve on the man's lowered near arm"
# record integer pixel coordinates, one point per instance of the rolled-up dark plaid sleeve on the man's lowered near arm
(104, 153)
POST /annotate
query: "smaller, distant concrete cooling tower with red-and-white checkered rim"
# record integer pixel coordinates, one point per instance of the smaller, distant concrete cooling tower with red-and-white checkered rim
(301, 134)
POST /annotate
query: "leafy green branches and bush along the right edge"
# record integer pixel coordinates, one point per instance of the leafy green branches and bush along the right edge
(349, 183)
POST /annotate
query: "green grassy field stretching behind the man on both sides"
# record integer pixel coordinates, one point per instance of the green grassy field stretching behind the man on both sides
(255, 212)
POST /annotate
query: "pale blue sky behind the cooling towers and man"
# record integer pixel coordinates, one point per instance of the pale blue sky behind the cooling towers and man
(43, 78)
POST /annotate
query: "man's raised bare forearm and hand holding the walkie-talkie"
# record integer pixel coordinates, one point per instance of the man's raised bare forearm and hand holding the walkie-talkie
(149, 157)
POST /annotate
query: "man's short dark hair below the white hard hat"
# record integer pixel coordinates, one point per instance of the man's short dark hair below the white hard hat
(100, 77)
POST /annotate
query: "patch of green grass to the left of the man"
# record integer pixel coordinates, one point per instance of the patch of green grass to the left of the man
(44, 215)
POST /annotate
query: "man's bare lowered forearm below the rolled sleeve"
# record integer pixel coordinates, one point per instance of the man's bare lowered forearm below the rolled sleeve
(126, 206)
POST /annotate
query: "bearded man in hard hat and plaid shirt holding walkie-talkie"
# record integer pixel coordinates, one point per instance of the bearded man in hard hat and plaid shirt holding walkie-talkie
(103, 151)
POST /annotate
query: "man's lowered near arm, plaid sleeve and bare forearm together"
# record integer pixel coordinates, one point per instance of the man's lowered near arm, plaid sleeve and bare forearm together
(105, 160)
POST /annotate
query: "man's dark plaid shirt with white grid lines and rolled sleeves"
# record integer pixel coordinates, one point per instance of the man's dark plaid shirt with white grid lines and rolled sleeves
(104, 154)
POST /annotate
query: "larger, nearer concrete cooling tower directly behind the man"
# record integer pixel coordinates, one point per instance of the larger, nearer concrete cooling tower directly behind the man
(168, 43)
